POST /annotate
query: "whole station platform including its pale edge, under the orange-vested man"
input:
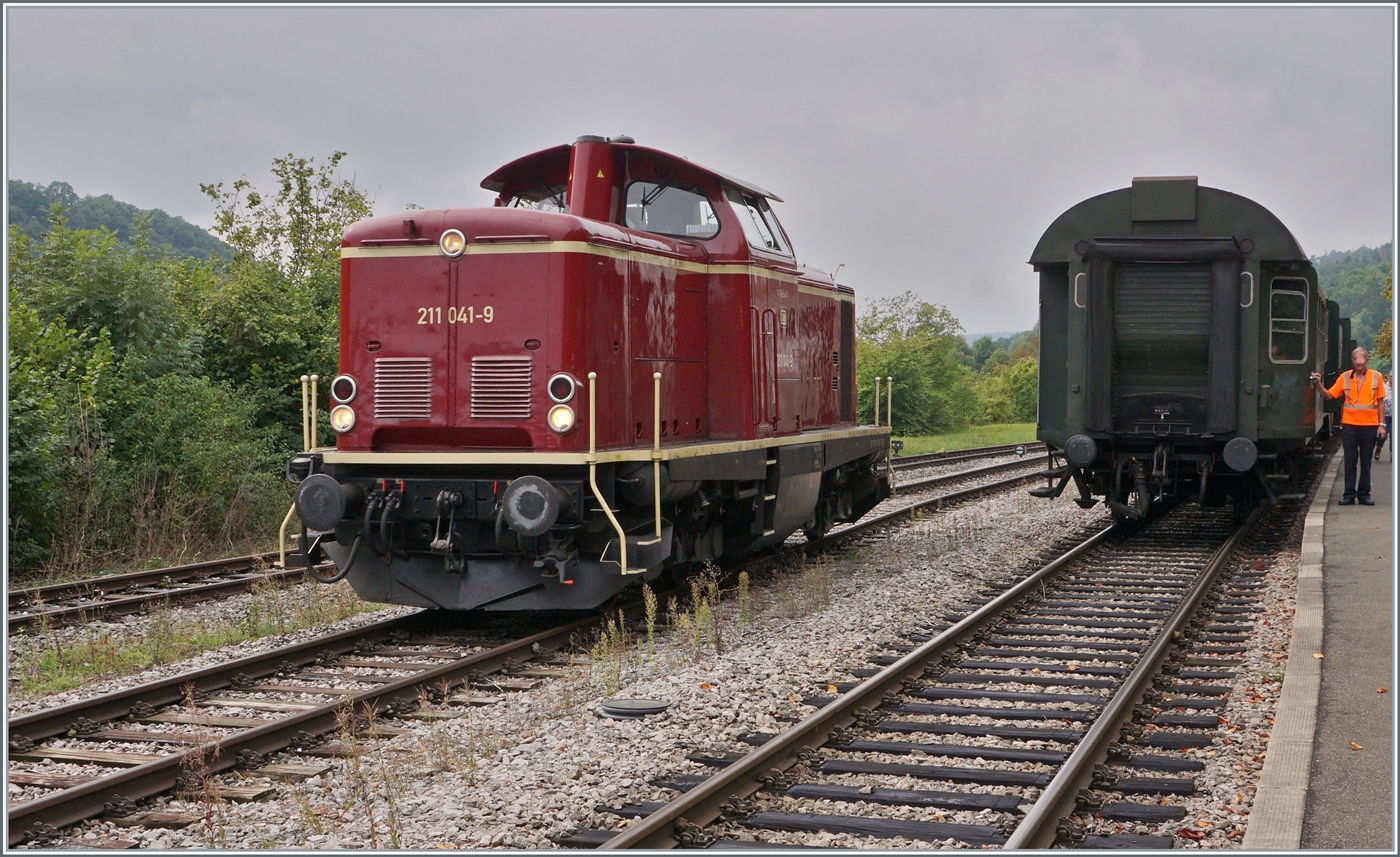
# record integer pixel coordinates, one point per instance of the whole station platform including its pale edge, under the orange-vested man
(1328, 775)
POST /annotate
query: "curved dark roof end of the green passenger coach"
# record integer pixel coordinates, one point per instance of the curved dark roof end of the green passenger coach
(1168, 208)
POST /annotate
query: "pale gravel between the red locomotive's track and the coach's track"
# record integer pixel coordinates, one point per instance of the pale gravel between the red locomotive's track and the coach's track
(538, 762)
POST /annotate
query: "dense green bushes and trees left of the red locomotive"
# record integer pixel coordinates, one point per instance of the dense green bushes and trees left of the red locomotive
(152, 393)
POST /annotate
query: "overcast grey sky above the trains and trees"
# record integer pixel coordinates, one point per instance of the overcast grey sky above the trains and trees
(926, 149)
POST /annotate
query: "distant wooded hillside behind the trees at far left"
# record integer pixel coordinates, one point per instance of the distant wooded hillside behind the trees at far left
(31, 208)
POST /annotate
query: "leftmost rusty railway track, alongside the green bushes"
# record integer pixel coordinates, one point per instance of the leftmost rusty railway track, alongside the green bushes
(132, 593)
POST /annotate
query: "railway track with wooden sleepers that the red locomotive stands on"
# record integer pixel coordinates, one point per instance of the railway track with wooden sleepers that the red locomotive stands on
(117, 750)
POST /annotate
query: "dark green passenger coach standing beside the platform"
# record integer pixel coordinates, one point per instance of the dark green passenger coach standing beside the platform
(1178, 330)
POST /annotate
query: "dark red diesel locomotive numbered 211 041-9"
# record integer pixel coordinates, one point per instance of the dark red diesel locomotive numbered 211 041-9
(618, 369)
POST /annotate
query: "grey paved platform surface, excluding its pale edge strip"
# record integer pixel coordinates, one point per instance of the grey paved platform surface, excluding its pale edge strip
(1350, 790)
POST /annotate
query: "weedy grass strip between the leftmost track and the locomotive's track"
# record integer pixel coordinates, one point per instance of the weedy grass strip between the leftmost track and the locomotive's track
(50, 662)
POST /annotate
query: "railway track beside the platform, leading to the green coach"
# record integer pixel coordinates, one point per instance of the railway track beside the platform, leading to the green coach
(1056, 712)
